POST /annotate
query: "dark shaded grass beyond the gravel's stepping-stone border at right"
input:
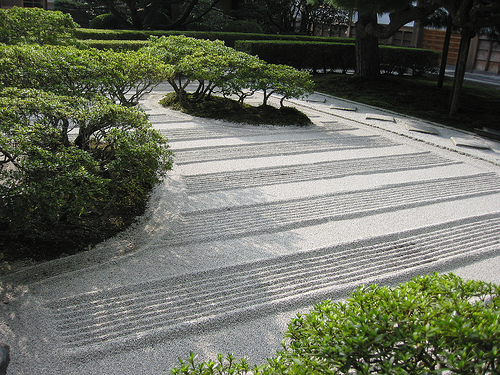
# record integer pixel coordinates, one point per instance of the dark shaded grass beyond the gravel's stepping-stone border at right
(418, 97)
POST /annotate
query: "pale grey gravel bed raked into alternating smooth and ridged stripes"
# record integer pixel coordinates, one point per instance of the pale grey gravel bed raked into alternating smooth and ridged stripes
(253, 225)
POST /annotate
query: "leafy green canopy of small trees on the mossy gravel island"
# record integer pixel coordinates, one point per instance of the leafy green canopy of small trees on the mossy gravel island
(218, 67)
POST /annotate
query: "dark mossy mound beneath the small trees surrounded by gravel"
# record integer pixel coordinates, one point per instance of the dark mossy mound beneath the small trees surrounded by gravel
(230, 110)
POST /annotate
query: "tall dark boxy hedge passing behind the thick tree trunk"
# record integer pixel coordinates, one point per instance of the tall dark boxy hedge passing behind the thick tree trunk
(338, 56)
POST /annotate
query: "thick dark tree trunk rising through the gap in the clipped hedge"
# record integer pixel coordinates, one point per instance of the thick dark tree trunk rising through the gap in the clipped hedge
(367, 51)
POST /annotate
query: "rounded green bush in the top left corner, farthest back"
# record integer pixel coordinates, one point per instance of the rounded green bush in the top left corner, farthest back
(35, 25)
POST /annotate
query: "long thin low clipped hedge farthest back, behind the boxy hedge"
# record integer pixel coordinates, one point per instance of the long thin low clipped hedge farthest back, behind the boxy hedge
(229, 38)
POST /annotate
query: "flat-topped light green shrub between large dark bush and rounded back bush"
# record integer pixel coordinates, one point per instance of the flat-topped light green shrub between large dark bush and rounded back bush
(121, 76)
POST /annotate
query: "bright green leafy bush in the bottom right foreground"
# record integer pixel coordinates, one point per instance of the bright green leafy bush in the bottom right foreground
(437, 324)
